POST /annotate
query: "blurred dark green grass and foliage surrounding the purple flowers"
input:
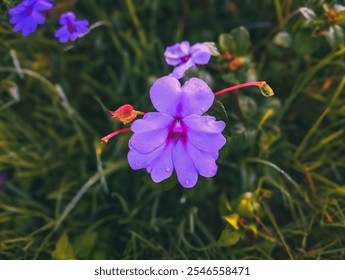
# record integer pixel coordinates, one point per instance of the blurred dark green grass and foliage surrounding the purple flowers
(280, 189)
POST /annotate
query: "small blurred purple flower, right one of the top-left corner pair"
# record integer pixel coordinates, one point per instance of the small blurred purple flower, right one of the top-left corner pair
(71, 28)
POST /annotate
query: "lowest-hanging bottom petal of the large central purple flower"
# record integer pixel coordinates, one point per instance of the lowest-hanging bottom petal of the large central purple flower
(187, 174)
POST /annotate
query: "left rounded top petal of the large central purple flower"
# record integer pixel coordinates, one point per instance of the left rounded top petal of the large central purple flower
(165, 95)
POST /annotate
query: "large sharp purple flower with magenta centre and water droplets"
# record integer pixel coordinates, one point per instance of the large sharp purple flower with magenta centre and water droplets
(177, 136)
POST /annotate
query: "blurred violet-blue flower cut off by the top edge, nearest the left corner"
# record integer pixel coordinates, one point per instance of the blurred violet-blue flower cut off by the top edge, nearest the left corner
(28, 14)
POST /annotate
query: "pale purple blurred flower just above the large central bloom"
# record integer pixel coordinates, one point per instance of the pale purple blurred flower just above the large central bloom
(183, 56)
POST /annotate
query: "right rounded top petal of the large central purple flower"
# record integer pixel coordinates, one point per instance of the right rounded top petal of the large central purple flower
(197, 97)
